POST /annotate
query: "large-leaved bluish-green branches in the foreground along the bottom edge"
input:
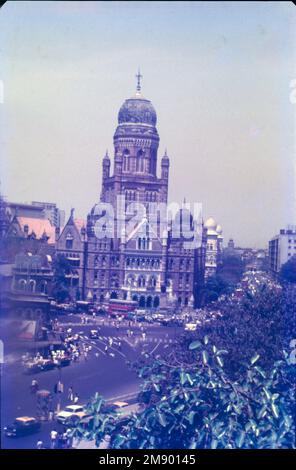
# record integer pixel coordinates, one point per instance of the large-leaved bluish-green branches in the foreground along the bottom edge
(196, 405)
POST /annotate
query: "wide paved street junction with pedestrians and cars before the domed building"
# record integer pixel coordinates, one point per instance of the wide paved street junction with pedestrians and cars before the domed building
(99, 358)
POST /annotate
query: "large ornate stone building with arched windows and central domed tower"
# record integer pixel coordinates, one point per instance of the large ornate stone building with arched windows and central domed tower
(146, 262)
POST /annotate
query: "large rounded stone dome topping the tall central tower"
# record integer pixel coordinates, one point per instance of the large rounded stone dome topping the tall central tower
(137, 110)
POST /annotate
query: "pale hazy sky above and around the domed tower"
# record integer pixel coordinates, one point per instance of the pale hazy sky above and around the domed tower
(218, 75)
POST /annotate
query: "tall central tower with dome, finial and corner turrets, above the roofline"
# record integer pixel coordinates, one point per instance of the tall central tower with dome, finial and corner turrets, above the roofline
(136, 144)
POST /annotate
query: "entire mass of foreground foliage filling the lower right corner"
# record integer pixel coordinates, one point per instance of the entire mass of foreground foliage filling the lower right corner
(228, 385)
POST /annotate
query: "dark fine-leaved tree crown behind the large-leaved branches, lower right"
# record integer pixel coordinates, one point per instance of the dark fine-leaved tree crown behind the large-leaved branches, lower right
(263, 322)
